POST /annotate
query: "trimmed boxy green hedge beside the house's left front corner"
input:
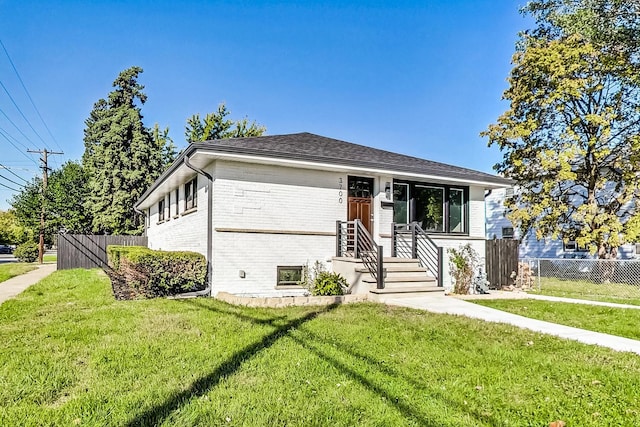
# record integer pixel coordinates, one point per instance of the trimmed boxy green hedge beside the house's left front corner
(154, 273)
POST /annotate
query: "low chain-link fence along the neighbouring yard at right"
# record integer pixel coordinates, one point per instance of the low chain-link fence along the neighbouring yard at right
(581, 278)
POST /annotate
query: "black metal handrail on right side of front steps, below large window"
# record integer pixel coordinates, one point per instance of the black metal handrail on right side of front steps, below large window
(411, 241)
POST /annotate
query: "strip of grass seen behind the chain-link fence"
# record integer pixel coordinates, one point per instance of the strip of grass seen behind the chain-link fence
(584, 289)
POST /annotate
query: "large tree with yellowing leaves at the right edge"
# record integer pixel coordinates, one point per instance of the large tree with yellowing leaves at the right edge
(571, 136)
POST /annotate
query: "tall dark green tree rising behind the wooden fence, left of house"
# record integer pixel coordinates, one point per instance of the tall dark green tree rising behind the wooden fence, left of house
(122, 157)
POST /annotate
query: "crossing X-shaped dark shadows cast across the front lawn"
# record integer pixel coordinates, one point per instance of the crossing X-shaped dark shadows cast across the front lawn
(160, 412)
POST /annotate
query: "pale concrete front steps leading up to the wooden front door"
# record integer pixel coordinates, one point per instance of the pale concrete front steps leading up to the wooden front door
(404, 276)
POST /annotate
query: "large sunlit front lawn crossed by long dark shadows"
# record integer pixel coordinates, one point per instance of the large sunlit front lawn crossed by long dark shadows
(72, 355)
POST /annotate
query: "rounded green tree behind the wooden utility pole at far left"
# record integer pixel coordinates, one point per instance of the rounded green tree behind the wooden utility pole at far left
(65, 207)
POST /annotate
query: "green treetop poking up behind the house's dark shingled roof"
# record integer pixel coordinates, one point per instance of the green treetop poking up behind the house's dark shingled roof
(216, 125)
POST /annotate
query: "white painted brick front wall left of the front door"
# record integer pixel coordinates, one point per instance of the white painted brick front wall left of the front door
(253, 204)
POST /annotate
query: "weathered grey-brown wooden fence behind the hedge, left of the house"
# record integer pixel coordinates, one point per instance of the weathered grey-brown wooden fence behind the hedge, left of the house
(88, 251)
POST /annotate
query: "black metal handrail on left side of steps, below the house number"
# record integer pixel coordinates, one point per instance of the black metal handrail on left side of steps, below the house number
(353, 240)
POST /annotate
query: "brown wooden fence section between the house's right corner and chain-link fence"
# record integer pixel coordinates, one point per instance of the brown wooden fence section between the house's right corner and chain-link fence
(501, 257)
